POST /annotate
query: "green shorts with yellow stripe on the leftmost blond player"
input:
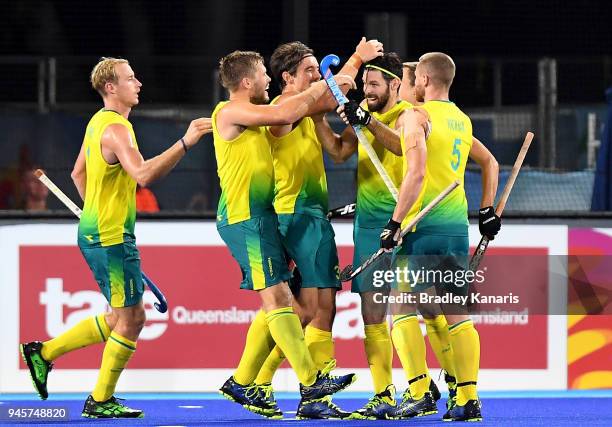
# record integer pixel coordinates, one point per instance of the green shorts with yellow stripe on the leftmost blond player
(116, 268)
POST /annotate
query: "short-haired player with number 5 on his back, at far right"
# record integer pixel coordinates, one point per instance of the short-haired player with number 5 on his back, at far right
(437, 139)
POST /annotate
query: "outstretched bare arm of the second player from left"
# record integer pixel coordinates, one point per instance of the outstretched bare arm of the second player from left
(239, 114)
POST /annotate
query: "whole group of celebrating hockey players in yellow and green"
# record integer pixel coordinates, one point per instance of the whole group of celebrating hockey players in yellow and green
(273, 217)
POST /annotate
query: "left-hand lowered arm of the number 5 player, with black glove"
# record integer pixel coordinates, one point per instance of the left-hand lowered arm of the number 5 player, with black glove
(415, 154)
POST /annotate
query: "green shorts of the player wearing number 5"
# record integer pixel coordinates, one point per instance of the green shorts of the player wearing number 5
(433, 260)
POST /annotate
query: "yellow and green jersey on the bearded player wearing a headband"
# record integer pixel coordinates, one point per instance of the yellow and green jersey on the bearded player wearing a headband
(375, 204)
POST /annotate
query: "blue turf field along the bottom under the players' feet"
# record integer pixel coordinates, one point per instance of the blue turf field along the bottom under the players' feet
(571, 408)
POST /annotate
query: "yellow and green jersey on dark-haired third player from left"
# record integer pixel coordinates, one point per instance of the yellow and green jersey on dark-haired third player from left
(300, 182)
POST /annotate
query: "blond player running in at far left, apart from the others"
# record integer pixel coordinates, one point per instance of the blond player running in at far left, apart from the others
(106, 172)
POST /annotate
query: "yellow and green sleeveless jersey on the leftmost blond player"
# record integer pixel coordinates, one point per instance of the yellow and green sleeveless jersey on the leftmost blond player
(109, 211)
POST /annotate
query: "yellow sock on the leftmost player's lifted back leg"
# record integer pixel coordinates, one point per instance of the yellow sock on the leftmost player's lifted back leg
(88, 331)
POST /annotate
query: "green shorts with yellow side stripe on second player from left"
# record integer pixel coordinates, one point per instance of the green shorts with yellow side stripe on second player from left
(256, 246)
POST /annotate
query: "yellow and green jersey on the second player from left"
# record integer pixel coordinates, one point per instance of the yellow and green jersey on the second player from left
(246, 174)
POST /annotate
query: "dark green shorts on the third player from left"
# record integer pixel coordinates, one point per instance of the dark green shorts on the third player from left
(310, 242)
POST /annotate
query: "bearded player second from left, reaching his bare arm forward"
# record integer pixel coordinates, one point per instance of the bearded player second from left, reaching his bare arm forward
(248, 224)
